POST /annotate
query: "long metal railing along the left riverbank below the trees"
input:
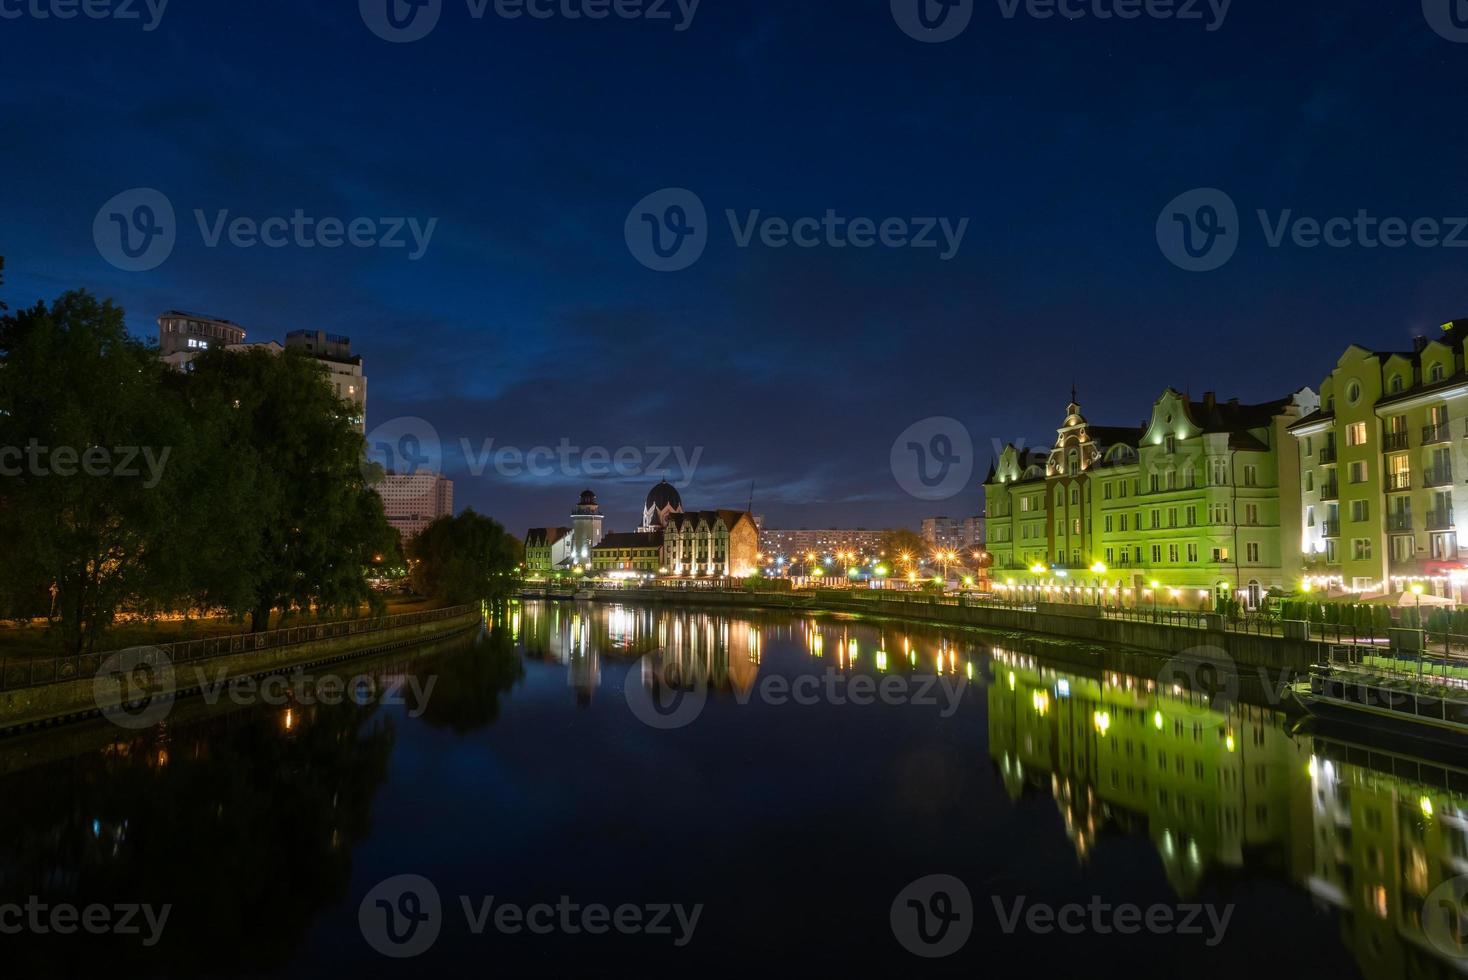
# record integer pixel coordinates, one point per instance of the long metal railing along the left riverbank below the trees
(17, 673)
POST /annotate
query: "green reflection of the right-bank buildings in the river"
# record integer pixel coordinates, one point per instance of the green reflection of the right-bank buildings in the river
(1369, 833)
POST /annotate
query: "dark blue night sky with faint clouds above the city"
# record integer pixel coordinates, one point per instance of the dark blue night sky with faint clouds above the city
(528, 321)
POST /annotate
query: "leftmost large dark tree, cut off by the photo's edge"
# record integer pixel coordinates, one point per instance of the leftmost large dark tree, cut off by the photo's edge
(92, 485)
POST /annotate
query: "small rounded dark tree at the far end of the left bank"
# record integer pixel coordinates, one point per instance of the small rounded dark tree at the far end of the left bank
(465, 560)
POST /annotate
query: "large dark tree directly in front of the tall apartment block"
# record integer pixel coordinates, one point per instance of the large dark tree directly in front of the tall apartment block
(312, 524)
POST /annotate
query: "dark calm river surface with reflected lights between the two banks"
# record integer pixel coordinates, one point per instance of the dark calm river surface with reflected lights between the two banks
(788, 811)
